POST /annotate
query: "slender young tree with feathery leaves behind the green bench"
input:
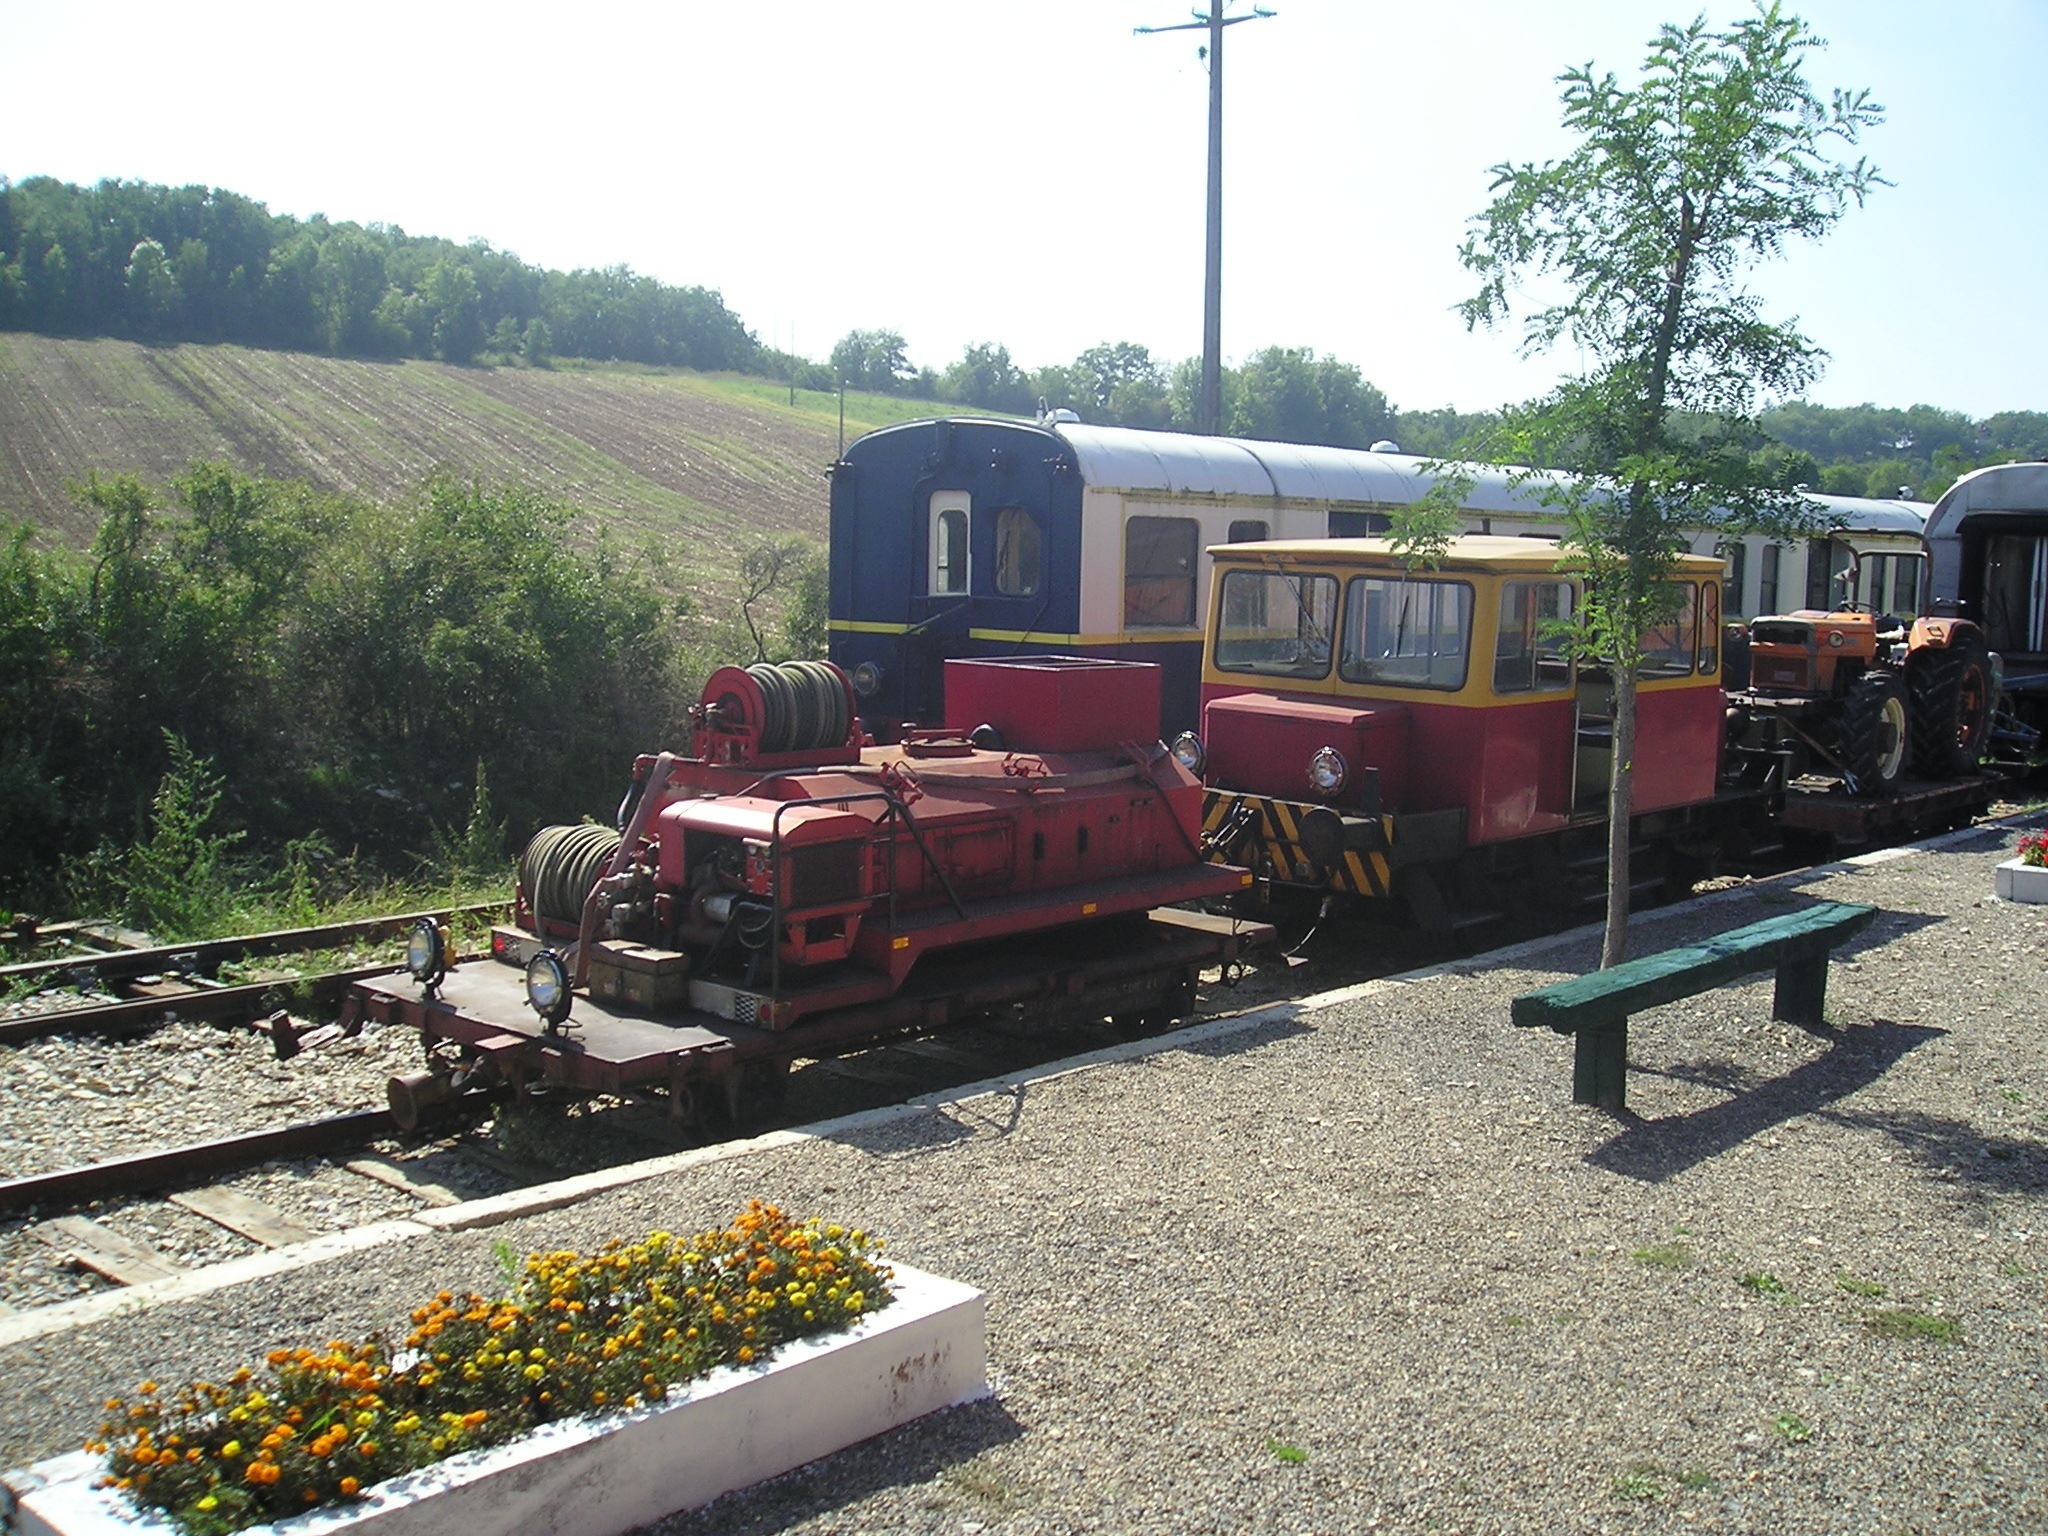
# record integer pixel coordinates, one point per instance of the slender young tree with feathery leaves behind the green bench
(1637, 247)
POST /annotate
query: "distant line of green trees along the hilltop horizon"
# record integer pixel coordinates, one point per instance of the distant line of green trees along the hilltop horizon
(206, 265)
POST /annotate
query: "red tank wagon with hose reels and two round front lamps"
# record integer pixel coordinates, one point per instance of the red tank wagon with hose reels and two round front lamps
(798, 892)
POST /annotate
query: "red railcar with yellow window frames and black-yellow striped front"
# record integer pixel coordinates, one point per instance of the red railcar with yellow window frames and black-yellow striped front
(1426, 736)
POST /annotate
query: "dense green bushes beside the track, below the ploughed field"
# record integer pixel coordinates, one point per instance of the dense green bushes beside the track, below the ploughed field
(343, 675)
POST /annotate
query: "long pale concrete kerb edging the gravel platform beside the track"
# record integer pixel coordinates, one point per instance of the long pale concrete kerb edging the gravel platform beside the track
(558, 1195)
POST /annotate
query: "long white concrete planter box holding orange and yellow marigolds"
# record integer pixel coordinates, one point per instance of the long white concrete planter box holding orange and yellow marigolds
(595, 1478)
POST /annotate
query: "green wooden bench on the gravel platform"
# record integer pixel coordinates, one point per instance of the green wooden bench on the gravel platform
(1596, 1007)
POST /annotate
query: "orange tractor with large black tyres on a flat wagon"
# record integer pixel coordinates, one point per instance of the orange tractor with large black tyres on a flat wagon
(1861, 695)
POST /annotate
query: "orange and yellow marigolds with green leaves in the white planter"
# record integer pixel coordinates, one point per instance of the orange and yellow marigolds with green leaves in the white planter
(579, 1334)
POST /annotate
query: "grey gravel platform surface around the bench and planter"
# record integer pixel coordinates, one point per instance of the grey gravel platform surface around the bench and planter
(1383, 1238)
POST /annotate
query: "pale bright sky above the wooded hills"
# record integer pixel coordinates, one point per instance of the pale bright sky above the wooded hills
(1033, 173)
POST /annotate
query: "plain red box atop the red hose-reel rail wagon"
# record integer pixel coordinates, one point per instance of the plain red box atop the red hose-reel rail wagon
(1056, 703)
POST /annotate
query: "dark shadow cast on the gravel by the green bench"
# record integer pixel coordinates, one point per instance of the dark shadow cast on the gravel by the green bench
(1656, 1150)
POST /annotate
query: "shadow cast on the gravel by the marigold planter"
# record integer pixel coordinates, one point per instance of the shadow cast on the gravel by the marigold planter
(929, 1451)
